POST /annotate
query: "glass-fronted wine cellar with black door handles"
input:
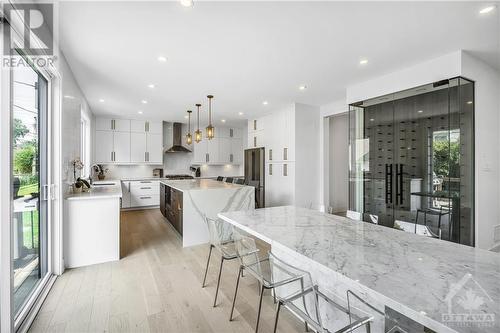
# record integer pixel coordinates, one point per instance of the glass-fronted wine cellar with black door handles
(411, 161)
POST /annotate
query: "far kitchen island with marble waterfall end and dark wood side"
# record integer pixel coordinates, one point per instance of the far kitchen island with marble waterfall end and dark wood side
(184, 203)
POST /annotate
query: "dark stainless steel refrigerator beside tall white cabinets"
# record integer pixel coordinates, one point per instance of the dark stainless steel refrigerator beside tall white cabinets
(254, 174)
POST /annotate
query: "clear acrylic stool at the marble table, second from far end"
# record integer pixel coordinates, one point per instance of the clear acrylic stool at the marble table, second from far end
(262, 270)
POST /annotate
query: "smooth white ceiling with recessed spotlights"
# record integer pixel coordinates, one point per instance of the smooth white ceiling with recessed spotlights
(248, 52)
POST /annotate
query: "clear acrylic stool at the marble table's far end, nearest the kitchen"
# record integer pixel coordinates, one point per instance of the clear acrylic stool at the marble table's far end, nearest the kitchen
(221, 238)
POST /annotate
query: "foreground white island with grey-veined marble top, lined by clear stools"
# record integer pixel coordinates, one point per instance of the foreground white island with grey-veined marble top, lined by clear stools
(418, 283)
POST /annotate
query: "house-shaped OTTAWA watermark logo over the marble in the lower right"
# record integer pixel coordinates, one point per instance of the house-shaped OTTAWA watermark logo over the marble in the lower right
(468, 304)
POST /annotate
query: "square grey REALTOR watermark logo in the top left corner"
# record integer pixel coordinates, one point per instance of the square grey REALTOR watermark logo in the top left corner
(27, 34)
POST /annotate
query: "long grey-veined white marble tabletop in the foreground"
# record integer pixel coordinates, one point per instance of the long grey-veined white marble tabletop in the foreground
(417, 273)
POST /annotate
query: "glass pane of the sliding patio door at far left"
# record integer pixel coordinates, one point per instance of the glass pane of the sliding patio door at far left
(29, 158)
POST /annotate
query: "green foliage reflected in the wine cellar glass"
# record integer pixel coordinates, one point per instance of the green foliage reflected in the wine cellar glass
(446, 158)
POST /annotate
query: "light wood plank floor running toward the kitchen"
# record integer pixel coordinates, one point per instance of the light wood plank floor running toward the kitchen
(155, 287)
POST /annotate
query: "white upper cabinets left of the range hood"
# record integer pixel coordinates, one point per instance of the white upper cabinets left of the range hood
(123, 141)
